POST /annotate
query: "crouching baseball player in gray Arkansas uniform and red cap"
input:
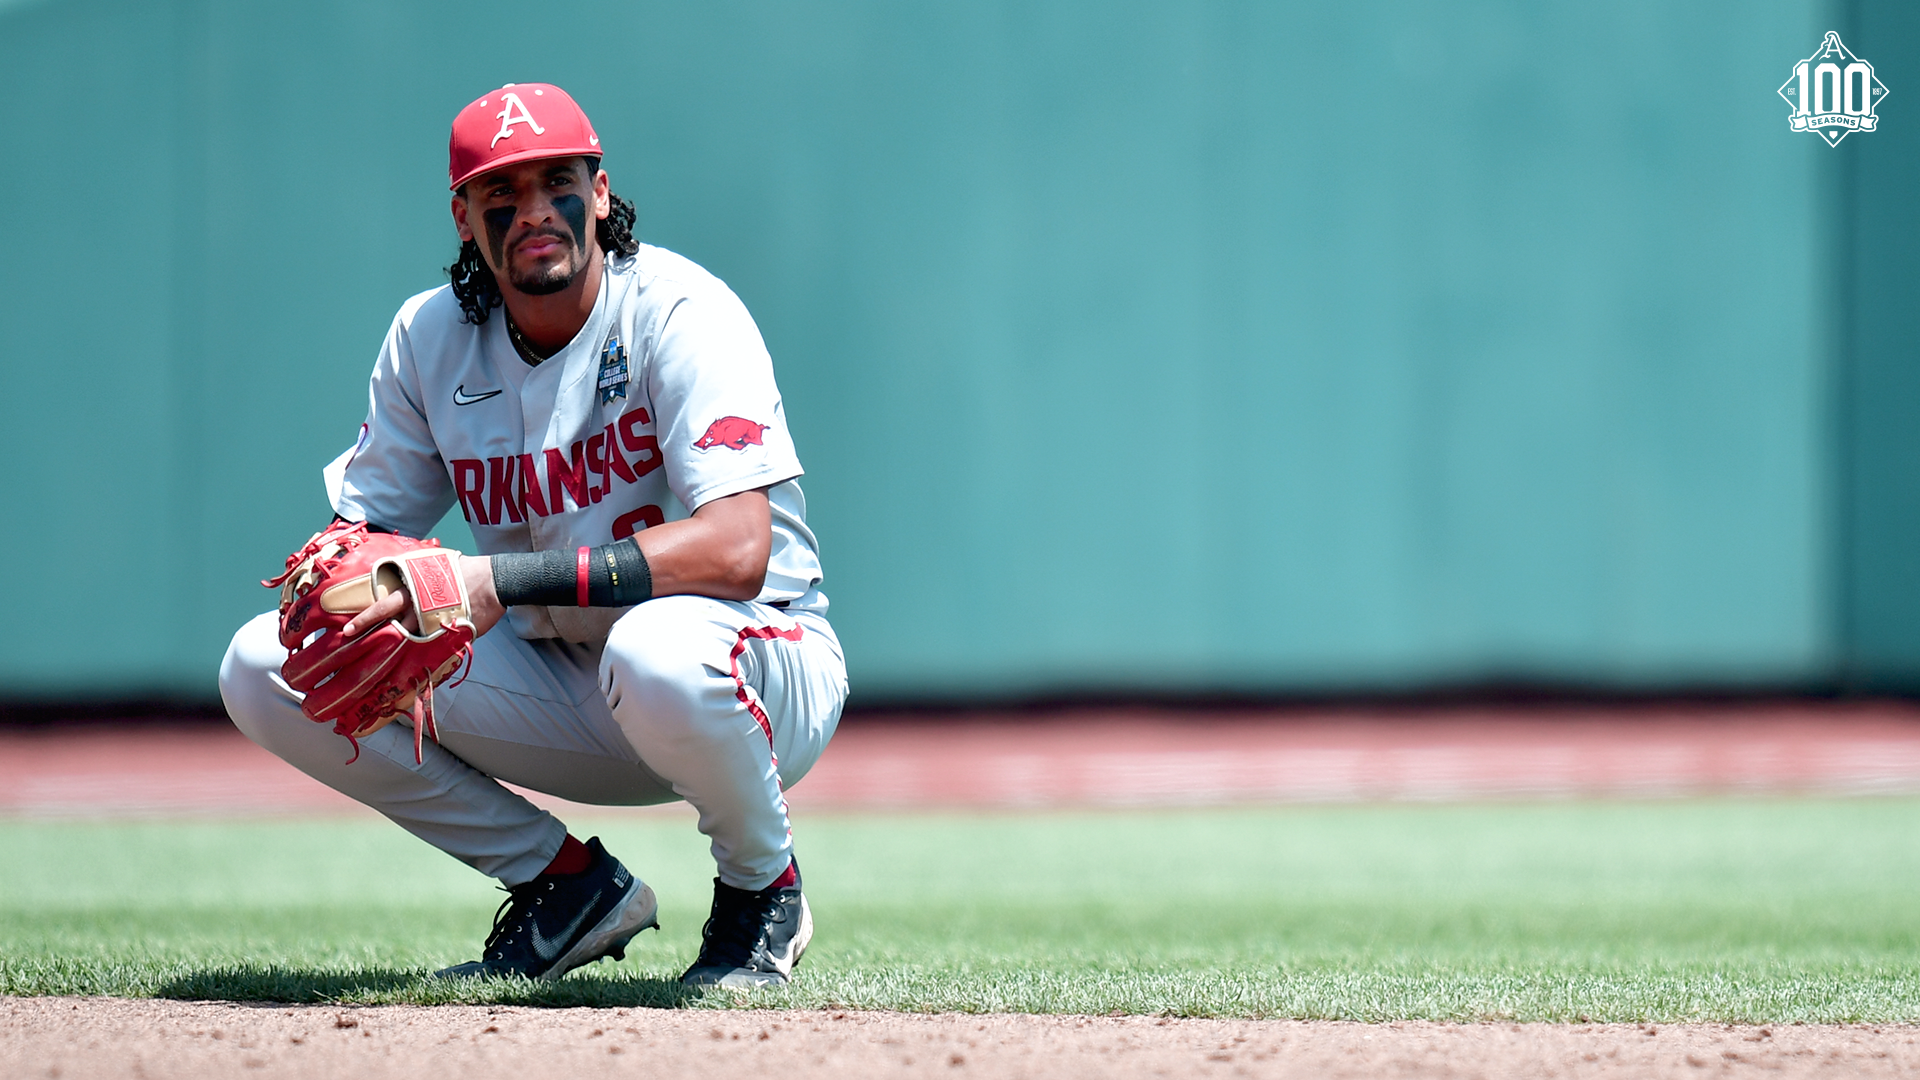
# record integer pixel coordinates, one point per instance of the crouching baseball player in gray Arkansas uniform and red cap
(646, 612)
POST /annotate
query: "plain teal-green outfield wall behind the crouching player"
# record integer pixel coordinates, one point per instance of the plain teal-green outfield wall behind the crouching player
(1245, 347)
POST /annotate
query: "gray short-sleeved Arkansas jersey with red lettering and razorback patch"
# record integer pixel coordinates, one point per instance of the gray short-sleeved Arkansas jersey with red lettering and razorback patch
(663, 403)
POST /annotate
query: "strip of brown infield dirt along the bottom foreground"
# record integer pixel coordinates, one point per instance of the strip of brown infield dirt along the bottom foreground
(68, 1039)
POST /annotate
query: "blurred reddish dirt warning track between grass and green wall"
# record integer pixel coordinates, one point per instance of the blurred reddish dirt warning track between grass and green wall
(1120, 758)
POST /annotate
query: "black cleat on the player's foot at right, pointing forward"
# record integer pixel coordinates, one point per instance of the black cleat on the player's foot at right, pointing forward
(754, 939)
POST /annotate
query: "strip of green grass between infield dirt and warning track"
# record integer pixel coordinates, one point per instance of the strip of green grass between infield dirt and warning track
(1760, 912)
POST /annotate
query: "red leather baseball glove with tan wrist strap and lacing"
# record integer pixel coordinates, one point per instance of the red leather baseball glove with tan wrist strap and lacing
(370, 681)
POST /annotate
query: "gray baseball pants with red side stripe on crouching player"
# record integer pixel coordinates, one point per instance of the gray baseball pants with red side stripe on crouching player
(715, 702)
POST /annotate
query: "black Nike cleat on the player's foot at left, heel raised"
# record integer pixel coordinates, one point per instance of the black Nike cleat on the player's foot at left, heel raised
(558, 923)
